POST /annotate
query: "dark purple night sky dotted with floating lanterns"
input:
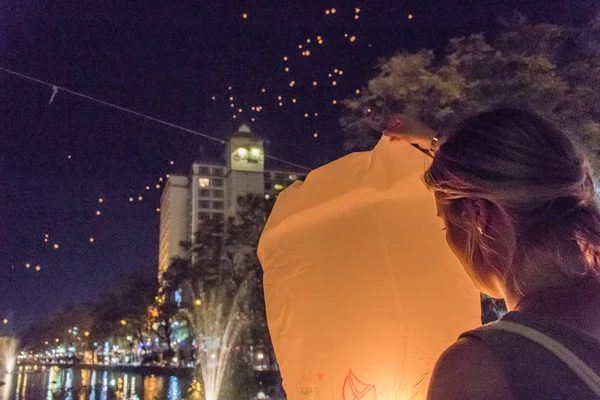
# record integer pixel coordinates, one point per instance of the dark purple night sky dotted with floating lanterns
(168, 59)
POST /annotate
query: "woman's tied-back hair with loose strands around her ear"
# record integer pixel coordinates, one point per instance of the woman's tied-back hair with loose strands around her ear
(536, 177)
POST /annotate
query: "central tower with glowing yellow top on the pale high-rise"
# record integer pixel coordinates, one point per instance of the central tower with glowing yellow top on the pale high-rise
(245, 162)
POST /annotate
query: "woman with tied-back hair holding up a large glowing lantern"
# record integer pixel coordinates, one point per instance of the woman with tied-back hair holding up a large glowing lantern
(518, 202)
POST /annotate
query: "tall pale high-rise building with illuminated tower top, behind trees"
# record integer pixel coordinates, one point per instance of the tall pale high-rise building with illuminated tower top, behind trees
(211, 191)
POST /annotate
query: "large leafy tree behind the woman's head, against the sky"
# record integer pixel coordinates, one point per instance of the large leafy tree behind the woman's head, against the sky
(553, 70)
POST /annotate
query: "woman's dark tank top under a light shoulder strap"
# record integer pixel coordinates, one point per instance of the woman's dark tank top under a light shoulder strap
(534, 372)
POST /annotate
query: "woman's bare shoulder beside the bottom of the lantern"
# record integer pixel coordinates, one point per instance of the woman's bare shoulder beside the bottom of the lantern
(468, 370)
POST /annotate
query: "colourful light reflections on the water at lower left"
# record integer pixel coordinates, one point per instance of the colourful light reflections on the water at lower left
(83, 384)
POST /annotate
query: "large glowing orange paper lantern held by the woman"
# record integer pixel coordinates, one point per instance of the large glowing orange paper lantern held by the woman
(355, 269)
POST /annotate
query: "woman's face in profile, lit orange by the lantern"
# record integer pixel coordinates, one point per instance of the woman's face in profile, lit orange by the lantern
(458, 237)
